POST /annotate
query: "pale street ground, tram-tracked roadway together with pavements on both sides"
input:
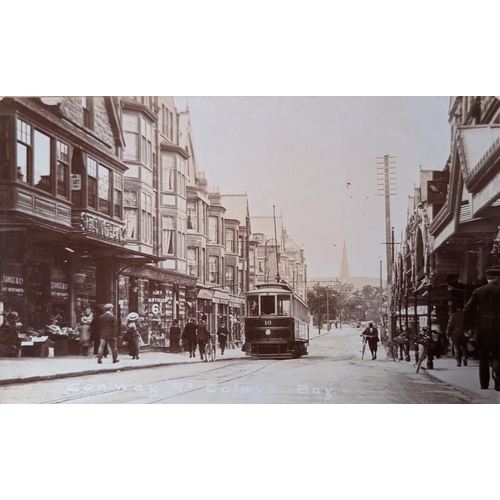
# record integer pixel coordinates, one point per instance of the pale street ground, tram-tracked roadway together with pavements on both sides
(332, 373)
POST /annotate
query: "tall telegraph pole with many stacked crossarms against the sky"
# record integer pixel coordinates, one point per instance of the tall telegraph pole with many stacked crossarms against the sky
(386, 186)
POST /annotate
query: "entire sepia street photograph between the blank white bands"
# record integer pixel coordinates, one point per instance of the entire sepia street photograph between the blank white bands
(150, 256)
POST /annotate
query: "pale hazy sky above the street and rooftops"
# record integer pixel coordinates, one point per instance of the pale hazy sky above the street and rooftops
(314, 159)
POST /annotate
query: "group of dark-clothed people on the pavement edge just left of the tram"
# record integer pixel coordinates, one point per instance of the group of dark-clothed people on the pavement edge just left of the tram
(196, 334)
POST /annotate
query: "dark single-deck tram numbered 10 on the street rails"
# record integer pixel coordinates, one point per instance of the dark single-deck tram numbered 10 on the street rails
(276, 324)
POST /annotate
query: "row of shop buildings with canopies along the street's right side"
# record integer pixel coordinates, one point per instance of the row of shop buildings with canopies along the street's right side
(452, 233)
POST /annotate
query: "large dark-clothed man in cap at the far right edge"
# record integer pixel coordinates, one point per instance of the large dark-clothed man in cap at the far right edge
(482, 313)
